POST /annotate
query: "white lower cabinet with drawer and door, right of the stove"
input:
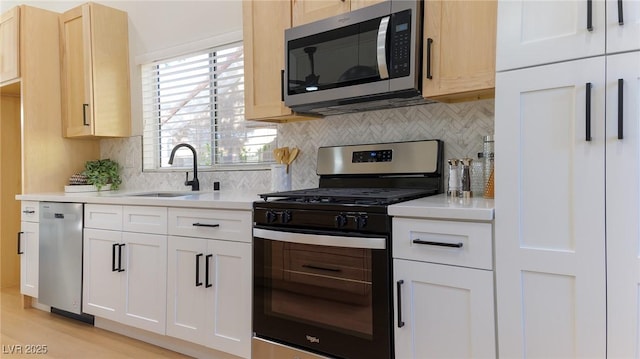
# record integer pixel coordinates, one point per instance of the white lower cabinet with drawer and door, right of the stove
(443, 310)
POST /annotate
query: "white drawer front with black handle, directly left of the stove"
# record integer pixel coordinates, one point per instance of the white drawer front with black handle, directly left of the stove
(211, 223)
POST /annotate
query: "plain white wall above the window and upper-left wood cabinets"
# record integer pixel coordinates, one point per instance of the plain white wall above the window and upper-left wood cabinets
(160, 28)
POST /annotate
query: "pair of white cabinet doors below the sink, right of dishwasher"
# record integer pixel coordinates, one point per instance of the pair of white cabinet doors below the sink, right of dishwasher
(125, 277)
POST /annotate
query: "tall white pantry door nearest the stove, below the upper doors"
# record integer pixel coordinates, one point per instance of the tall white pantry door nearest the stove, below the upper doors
(549, 197)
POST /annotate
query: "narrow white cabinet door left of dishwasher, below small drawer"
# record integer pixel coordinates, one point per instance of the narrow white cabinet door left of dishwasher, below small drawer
(28, 249)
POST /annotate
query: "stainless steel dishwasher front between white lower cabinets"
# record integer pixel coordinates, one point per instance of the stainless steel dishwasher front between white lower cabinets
(60, 263)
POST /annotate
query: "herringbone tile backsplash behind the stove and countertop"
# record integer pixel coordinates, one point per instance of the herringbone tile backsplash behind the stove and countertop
(461, 127)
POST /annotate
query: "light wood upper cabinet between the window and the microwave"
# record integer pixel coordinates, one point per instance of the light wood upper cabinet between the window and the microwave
(264, 23)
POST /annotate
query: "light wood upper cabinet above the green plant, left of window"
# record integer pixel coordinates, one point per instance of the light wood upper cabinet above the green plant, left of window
(95, 85)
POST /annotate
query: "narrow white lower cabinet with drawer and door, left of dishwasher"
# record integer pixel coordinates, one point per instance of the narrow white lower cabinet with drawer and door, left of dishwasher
(28, 248)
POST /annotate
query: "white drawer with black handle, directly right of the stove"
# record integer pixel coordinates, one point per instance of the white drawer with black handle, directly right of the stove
(467, 244)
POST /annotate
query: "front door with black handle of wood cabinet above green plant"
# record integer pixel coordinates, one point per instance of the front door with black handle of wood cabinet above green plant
(77, 102)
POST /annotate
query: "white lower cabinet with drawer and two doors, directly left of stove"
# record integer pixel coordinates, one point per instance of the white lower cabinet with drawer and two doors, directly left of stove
(209, 280)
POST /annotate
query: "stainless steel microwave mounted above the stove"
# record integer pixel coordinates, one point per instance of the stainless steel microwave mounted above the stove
(365, 59)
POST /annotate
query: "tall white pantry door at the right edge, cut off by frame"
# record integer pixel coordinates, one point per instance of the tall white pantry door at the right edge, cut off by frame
(623, 206)
